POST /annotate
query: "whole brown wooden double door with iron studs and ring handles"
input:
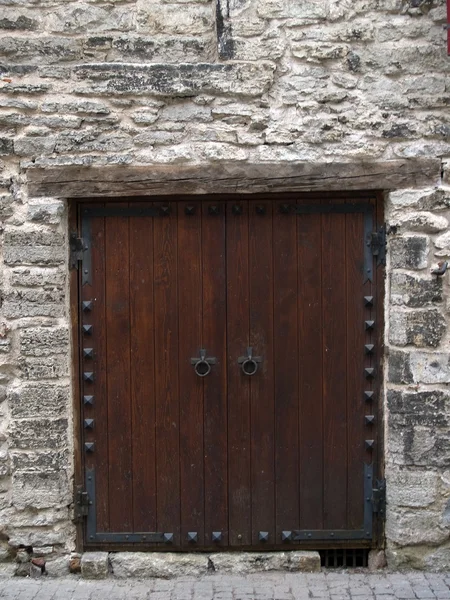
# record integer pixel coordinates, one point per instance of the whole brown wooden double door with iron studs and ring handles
(228, 382)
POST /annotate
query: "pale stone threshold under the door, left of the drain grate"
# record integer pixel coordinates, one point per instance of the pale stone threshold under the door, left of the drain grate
(167, 565)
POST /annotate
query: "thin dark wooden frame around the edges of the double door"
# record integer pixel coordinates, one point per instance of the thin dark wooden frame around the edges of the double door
(74, 225)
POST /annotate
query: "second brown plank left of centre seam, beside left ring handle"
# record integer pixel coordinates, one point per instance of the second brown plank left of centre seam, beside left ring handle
(191, 385)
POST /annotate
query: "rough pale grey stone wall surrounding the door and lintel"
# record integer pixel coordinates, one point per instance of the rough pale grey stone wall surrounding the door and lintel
(191, 81)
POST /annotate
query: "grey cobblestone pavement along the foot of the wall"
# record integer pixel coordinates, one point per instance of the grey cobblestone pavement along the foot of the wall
(281, 586)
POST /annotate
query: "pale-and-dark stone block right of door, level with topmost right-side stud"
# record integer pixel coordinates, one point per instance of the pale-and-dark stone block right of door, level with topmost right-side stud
(415, 291)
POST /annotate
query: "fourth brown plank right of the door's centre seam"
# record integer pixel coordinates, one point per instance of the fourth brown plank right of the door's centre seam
(309, 233)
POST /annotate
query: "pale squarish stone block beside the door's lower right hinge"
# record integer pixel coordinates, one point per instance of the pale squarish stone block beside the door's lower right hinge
(410, 488)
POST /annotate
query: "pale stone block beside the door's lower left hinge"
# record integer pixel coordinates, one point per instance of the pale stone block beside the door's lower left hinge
(40, 490)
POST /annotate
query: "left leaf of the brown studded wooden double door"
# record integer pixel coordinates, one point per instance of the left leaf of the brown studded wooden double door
(147, 418)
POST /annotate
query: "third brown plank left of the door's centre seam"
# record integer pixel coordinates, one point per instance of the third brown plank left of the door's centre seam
(165, 268)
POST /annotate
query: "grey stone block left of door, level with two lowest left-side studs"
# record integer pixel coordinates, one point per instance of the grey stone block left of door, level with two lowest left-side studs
(35, 434)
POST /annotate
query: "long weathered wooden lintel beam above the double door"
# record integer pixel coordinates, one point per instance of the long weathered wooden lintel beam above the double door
(79, 182)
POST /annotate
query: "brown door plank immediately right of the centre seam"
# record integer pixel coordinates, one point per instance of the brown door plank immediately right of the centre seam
(239, 432)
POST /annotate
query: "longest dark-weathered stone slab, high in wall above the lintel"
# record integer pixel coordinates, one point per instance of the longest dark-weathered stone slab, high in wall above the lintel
(239, 79)
